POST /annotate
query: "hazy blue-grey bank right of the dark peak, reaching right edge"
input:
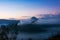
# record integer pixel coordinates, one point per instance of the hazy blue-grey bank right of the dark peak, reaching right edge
(49, 19)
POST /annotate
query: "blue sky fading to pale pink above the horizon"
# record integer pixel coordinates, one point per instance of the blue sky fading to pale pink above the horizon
(19, 8)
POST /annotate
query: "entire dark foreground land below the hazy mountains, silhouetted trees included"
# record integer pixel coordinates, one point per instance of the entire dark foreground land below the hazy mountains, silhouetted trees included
(12, 30)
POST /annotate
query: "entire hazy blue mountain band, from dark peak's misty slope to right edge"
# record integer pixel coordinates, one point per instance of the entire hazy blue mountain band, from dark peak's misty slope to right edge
(46, 19)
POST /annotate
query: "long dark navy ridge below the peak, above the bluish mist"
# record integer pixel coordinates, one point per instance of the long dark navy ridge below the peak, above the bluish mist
(34, 28)
